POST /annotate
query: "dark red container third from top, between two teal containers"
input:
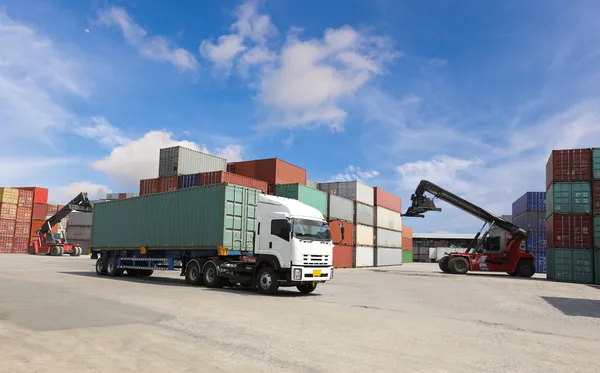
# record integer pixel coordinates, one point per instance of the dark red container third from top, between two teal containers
(569, 231)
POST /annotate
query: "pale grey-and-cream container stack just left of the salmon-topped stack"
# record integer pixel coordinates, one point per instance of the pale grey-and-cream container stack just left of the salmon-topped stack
(363, 197)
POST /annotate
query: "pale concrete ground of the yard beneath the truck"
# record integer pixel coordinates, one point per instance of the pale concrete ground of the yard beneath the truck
(56, 315)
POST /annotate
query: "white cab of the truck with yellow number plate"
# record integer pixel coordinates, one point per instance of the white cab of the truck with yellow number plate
(295, 239)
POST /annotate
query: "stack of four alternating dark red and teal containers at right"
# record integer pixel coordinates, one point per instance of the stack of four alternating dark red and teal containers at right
(569, 224)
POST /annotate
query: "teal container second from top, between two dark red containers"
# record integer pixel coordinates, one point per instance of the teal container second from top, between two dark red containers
(568, 198)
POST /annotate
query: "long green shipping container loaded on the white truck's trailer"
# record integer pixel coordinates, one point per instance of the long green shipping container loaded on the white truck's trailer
(202, 218)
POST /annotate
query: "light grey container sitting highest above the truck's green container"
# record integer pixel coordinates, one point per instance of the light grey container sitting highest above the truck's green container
(178, 160)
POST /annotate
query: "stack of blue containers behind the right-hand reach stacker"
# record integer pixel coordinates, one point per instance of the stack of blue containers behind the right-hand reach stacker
(529, 213)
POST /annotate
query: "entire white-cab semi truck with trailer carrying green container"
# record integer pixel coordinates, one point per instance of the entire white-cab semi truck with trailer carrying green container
(216, 235)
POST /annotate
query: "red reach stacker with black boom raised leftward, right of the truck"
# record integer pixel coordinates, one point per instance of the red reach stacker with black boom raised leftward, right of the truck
(478, 256)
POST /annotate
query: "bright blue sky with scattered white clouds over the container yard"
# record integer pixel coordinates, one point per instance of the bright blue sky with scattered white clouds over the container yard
(469, 94)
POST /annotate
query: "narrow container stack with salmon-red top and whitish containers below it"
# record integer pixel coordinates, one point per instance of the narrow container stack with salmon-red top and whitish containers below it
(388, 228)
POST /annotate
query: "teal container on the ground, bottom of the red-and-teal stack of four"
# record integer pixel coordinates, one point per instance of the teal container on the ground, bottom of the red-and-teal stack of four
(570, 265)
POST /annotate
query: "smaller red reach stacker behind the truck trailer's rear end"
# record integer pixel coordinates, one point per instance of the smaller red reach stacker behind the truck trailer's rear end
(56, 244)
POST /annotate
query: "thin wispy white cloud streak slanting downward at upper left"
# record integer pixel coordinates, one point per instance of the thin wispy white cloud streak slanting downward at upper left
(156, 48)
